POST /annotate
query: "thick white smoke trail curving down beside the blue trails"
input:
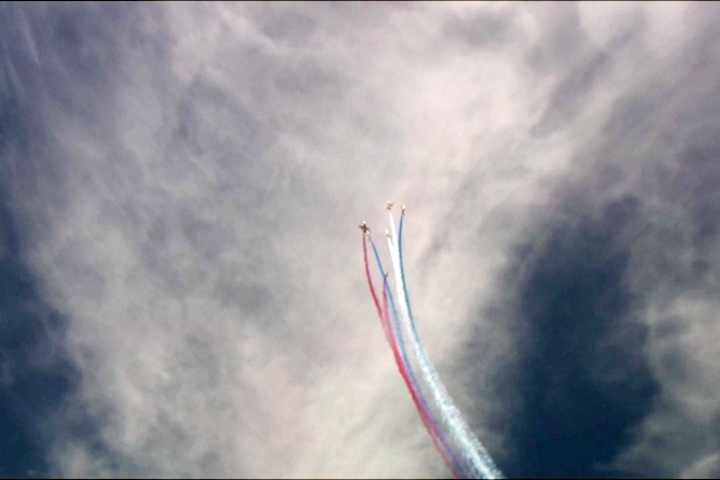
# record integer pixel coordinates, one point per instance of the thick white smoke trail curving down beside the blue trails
(476, 455)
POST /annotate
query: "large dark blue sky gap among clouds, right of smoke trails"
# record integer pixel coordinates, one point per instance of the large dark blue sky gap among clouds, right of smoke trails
(581, 377)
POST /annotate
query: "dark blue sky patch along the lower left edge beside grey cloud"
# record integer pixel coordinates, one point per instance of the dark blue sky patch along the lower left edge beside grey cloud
(36, 375)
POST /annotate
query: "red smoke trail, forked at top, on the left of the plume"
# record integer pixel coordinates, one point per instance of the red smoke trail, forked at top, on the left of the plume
(383, 313)
